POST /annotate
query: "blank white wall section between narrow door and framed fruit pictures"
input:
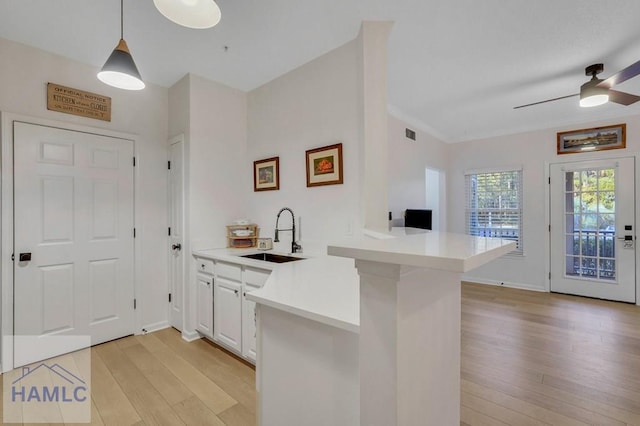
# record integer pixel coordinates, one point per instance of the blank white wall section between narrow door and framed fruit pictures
(217, 160)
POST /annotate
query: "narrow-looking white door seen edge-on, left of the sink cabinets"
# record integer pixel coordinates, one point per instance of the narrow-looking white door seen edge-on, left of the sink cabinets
(176, 239)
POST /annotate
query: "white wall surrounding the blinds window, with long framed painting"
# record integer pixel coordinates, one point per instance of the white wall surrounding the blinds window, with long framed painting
(533, 151)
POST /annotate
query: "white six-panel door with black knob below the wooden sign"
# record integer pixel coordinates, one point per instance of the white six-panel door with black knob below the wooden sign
(73, 200)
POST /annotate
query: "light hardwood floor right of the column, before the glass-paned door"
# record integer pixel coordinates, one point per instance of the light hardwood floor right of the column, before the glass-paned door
(538, 358)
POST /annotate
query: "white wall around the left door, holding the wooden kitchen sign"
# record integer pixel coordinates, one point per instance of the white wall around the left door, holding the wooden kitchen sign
(24, 73)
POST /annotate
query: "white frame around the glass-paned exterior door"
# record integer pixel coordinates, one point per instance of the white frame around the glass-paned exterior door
(579, 158)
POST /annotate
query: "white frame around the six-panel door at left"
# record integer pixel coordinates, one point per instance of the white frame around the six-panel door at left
(7, 223)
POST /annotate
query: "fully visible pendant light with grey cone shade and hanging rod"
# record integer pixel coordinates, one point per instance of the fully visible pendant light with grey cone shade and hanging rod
(120, 70)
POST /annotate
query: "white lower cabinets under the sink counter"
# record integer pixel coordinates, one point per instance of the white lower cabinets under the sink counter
(223, 312)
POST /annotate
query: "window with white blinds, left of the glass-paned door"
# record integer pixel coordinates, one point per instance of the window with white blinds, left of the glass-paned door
(494, 205)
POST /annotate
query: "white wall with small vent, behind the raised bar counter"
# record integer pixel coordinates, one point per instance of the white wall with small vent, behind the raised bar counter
(407, 163)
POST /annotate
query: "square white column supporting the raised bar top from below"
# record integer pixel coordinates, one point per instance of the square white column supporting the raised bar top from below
(409, 345)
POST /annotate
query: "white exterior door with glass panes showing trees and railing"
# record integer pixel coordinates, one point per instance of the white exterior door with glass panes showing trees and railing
(593, 229)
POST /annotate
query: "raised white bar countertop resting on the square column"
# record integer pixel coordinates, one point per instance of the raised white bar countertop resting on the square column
(425, 249)
